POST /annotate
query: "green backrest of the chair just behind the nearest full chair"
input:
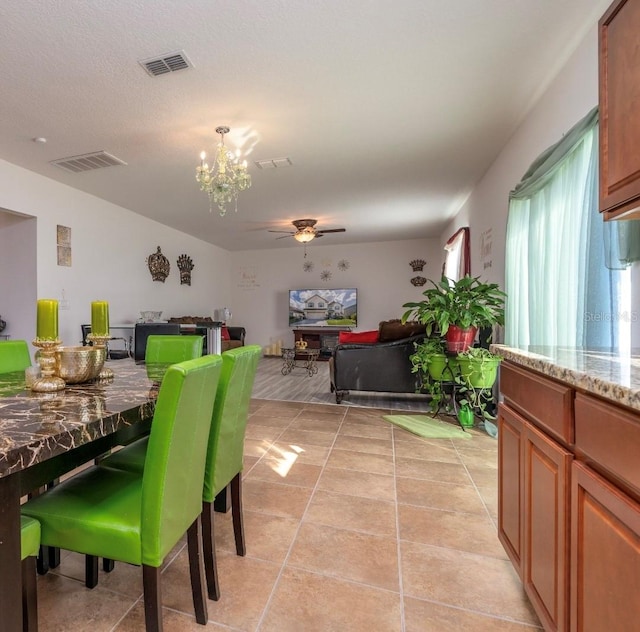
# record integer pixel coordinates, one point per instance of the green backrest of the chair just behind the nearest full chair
(226, 441)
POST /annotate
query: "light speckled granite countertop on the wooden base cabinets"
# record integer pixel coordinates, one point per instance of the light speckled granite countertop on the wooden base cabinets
(609, 374)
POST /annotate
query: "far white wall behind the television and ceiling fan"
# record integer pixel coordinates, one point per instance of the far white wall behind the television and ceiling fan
(261, 280)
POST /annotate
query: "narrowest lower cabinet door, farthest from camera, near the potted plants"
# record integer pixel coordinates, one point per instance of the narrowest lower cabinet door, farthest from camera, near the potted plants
(510, 484)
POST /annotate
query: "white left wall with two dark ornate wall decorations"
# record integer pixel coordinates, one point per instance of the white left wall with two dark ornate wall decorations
(109, 249)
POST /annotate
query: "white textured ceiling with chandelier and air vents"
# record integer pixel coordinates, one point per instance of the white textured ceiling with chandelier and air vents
(390, 111)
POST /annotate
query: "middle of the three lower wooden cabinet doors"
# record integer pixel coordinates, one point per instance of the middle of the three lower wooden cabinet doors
(547, 467)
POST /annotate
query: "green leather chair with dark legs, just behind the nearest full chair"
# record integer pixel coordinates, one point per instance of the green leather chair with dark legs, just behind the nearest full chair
(224, 454)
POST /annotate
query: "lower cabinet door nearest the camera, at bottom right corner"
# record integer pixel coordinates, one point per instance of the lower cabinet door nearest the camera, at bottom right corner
(605, 553)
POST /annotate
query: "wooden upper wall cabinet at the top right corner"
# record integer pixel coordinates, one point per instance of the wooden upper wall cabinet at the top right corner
(619, 98)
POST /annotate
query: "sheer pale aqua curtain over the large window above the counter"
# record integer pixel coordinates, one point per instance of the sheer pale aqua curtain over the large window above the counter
(559, 292)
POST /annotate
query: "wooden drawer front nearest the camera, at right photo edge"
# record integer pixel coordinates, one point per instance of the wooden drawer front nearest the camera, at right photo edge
(609, 436)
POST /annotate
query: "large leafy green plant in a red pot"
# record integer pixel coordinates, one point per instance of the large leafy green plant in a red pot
(457, 308)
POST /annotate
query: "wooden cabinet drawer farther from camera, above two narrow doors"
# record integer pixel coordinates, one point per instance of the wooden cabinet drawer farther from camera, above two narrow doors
(547, 403)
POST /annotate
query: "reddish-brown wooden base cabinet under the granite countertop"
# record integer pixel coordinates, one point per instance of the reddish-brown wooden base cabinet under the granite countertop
(569, 501)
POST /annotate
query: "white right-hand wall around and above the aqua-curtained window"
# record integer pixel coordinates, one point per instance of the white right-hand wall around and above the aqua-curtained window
(569, 97)
